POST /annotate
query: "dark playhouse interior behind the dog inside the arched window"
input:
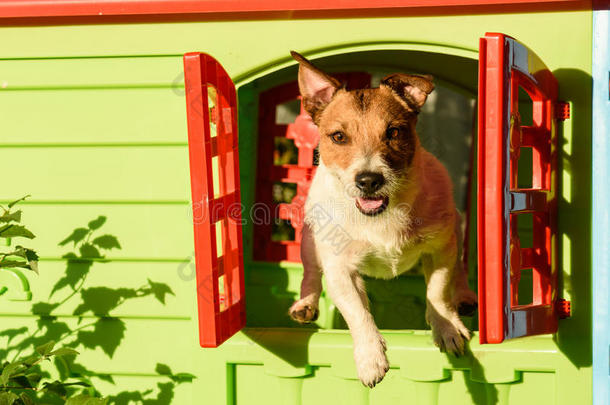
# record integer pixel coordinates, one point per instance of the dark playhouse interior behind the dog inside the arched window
(274, 172)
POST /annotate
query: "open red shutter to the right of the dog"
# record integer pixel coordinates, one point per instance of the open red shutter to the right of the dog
(505, 65)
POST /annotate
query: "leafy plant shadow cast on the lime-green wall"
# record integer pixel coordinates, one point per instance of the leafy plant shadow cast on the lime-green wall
(95, 328)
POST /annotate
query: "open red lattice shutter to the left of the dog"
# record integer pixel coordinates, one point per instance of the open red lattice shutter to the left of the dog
(214, 161)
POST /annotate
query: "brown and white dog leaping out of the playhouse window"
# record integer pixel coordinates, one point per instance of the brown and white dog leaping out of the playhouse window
(389, 201)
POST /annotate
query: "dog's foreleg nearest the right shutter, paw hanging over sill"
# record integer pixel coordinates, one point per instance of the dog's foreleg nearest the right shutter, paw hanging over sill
(448, 331)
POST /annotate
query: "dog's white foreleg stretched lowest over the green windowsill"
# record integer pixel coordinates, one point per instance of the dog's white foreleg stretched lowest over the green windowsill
(346, 289)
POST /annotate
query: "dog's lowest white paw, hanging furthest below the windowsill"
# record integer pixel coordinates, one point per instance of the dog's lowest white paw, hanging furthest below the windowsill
(371, 361)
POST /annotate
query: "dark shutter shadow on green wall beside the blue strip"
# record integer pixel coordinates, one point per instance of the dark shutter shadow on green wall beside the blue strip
(574, 237)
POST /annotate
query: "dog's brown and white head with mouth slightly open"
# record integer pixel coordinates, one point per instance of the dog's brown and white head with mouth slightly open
(367, 136)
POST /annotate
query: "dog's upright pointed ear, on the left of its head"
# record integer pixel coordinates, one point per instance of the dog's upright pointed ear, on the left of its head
(316, 87)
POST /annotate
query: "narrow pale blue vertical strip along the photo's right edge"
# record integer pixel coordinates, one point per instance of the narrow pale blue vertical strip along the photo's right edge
(601, 208)
